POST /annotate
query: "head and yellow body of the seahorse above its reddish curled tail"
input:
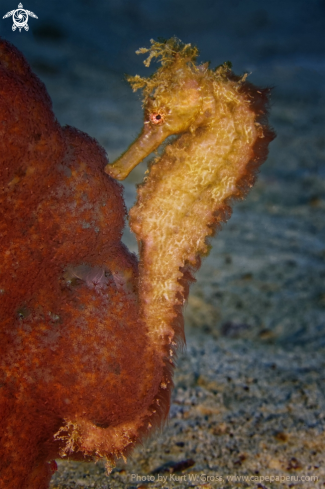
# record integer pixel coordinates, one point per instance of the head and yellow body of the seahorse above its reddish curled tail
(222, 139)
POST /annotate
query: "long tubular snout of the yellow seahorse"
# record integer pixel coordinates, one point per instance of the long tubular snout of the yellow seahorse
(150, 138)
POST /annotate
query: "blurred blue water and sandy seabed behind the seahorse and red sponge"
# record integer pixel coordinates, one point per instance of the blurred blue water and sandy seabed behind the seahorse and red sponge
(249, 388)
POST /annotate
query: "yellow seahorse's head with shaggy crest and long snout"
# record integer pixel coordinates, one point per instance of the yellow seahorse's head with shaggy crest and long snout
(173, 99)
